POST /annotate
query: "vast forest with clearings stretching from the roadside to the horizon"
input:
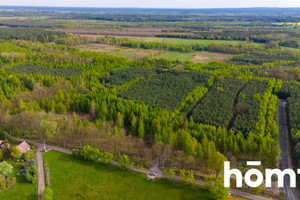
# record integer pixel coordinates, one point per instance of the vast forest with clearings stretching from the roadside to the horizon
(220, 103)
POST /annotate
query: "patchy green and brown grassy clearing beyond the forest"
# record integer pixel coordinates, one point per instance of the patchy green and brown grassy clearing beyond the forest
(134, 54)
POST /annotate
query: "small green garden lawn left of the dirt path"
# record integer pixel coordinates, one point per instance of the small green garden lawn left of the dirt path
(21, 190)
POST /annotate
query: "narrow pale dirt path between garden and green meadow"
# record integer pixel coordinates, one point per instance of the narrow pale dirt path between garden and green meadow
(41, 177)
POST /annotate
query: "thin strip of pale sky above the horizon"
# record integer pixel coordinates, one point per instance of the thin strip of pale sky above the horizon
(155, 3)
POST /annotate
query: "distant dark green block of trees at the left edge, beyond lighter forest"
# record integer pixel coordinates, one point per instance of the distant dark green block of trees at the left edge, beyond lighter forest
(33, 34)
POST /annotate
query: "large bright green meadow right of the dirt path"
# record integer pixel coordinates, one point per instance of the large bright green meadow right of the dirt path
(71, 178)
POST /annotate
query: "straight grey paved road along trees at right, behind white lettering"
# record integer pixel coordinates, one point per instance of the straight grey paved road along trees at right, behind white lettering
(284, 148)
